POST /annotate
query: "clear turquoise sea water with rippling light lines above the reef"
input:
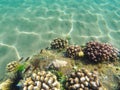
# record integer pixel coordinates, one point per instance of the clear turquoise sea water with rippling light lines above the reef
(26, 26)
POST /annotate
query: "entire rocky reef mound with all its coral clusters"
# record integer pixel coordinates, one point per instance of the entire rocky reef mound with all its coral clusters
(49, 70)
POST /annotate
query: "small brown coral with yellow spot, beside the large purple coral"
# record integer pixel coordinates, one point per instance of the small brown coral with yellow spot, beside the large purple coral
(74, 51)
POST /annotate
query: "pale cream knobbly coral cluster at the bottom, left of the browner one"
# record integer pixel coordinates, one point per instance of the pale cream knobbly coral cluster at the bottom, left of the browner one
(41, 81)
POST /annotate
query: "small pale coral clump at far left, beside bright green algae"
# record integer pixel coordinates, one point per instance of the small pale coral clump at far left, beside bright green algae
(12, 66)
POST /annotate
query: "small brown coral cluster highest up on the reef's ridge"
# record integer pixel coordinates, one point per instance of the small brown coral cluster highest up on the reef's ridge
(59, 43)
